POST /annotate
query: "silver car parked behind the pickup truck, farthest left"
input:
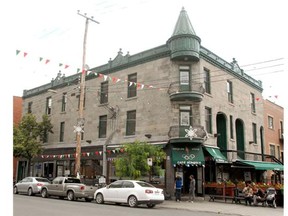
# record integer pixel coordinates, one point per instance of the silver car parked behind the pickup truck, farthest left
(30, 185)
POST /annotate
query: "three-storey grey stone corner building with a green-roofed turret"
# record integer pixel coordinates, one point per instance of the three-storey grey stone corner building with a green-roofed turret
(204, 111)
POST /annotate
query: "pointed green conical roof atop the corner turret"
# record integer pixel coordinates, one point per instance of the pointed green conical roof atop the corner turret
(183, 25)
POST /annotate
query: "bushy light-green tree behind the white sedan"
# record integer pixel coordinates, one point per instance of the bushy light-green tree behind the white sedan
(133, 163)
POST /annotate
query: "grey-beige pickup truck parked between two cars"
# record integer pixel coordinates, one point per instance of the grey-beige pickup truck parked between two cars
(68, 187)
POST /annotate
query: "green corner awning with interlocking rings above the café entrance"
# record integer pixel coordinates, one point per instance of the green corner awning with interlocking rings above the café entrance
(188, 155)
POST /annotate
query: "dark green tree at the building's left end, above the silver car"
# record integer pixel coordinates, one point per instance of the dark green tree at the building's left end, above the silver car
(28, 135)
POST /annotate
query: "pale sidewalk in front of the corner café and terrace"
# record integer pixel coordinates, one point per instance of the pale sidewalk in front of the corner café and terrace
(220, 207)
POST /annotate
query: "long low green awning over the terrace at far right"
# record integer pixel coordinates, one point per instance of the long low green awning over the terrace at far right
(261, 165)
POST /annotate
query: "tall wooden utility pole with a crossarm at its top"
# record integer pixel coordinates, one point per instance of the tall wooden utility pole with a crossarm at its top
(81, 120)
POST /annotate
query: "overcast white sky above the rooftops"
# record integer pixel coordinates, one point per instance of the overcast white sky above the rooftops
(252, 32)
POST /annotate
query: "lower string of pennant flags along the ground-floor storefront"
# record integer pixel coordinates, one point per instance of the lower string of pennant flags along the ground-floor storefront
(84, 154)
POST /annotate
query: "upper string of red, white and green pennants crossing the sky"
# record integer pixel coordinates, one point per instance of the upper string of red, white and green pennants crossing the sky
(106, 77)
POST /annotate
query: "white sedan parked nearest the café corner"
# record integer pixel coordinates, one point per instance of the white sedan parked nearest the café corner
(131, 192)
